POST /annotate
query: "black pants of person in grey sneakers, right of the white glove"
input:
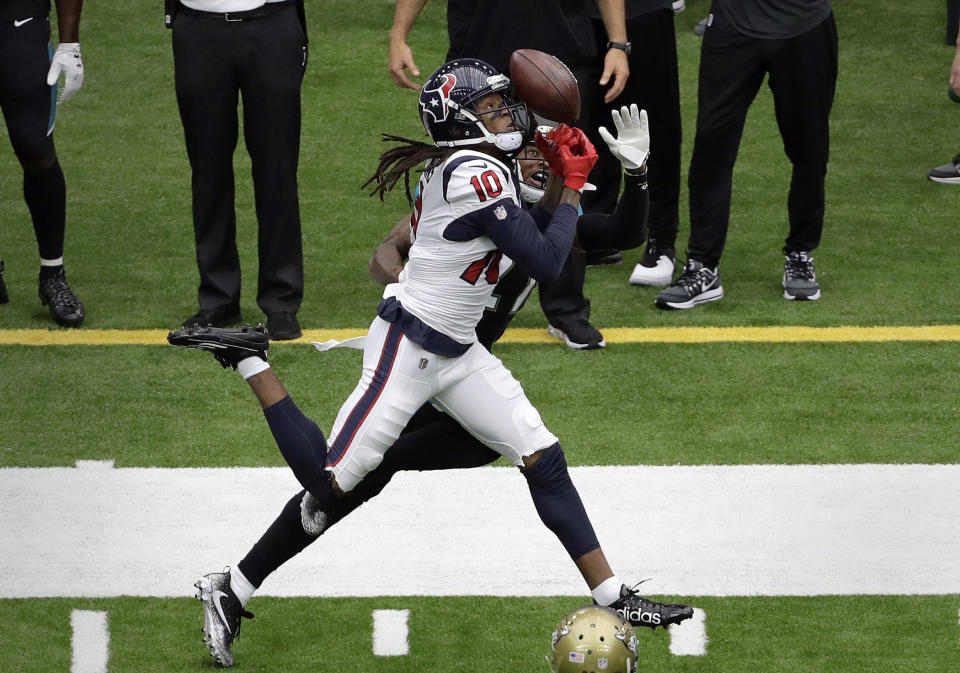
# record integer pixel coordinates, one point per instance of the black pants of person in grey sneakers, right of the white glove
(803, 75)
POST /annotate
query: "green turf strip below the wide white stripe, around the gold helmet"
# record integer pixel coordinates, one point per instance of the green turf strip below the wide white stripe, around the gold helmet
(848, 634)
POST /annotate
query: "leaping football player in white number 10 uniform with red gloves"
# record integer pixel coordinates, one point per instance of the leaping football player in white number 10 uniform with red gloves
(423, 346)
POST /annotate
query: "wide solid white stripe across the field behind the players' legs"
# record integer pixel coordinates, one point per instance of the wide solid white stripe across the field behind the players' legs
(696, 530)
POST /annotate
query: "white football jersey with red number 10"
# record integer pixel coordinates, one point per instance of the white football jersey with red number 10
(447, 283)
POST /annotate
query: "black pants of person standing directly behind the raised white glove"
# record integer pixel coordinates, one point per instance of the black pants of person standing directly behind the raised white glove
(654, 85)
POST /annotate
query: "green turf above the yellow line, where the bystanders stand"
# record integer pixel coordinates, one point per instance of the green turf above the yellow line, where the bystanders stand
(129, 240)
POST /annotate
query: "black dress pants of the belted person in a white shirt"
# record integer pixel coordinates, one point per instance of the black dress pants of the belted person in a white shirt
(263, 60)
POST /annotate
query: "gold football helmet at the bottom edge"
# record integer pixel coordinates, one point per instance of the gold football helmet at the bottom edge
(593, 639)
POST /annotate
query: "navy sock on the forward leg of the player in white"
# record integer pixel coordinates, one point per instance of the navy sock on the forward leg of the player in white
(559, 504)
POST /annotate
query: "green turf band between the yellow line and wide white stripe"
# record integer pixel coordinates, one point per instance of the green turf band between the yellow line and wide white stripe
(714, 403)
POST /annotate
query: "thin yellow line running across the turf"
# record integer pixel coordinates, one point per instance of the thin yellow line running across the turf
(775, 334)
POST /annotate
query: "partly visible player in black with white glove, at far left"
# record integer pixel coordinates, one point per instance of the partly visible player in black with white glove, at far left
(29, 70)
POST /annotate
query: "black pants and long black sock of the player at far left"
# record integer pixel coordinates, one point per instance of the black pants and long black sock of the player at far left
(28, 105)
